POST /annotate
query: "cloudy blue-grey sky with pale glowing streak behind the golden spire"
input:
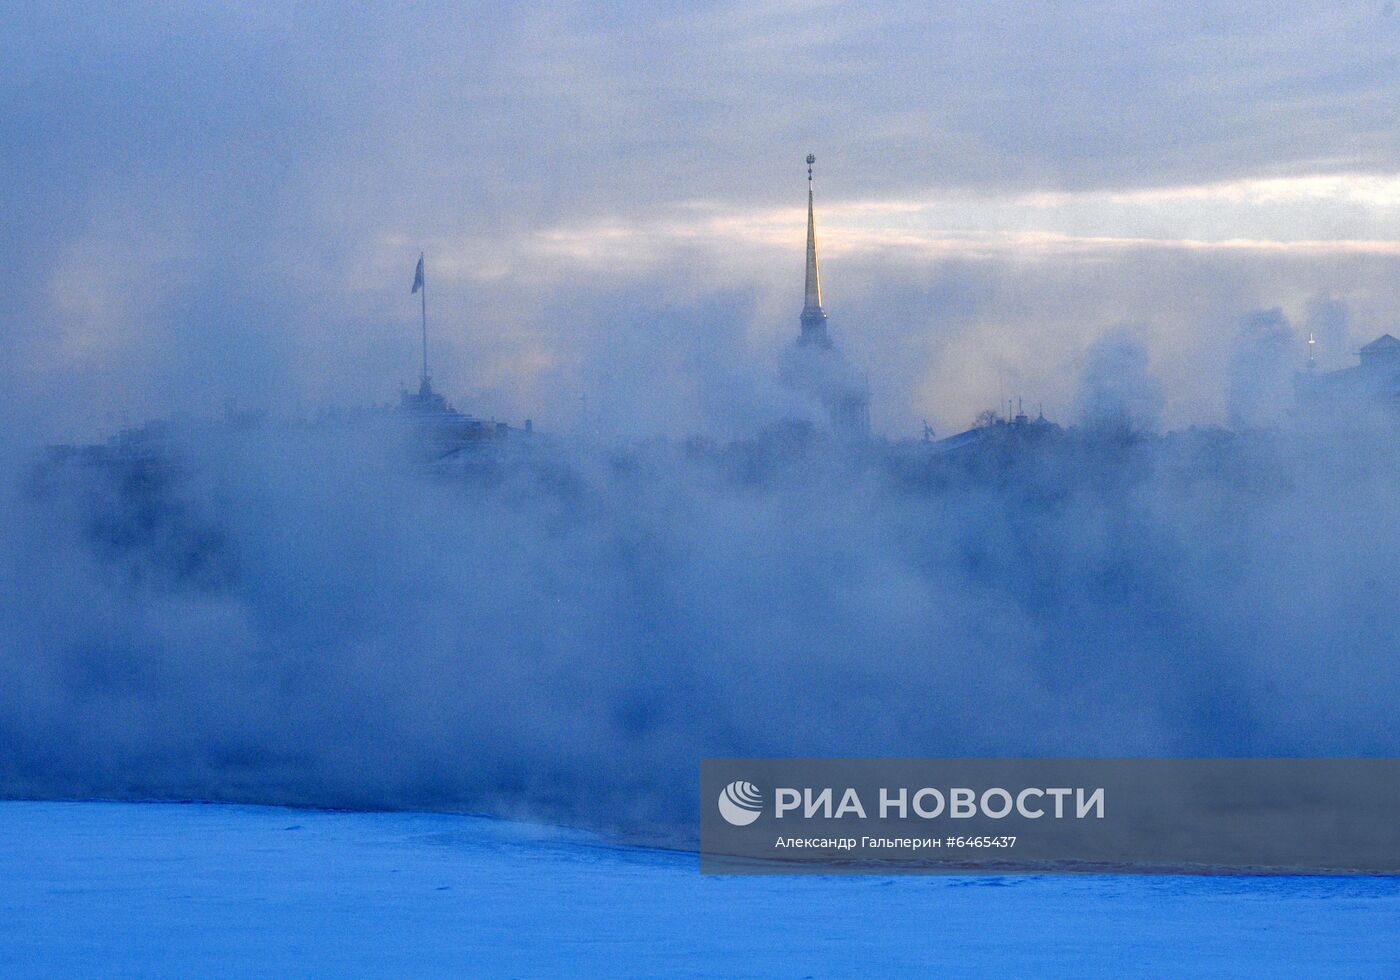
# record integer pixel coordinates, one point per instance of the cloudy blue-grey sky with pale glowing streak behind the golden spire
(211, 202)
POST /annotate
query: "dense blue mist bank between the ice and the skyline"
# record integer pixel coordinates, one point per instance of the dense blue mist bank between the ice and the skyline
(563, 631)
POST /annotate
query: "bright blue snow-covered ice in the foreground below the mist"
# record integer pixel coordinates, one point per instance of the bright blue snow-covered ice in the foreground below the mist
(152, 890)
